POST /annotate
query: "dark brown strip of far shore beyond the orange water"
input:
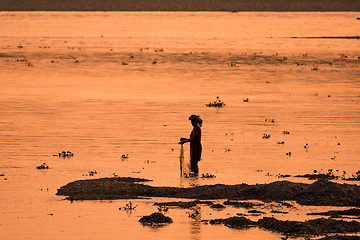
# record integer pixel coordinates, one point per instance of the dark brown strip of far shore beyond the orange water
(183, 5)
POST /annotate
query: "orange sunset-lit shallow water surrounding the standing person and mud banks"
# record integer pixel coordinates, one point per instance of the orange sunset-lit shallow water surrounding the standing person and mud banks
(77, 96)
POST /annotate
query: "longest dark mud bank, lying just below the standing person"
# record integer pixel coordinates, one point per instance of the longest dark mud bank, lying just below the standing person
(319, 193)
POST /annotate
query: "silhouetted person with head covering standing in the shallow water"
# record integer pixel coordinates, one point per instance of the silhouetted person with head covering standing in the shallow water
(195, 143)
